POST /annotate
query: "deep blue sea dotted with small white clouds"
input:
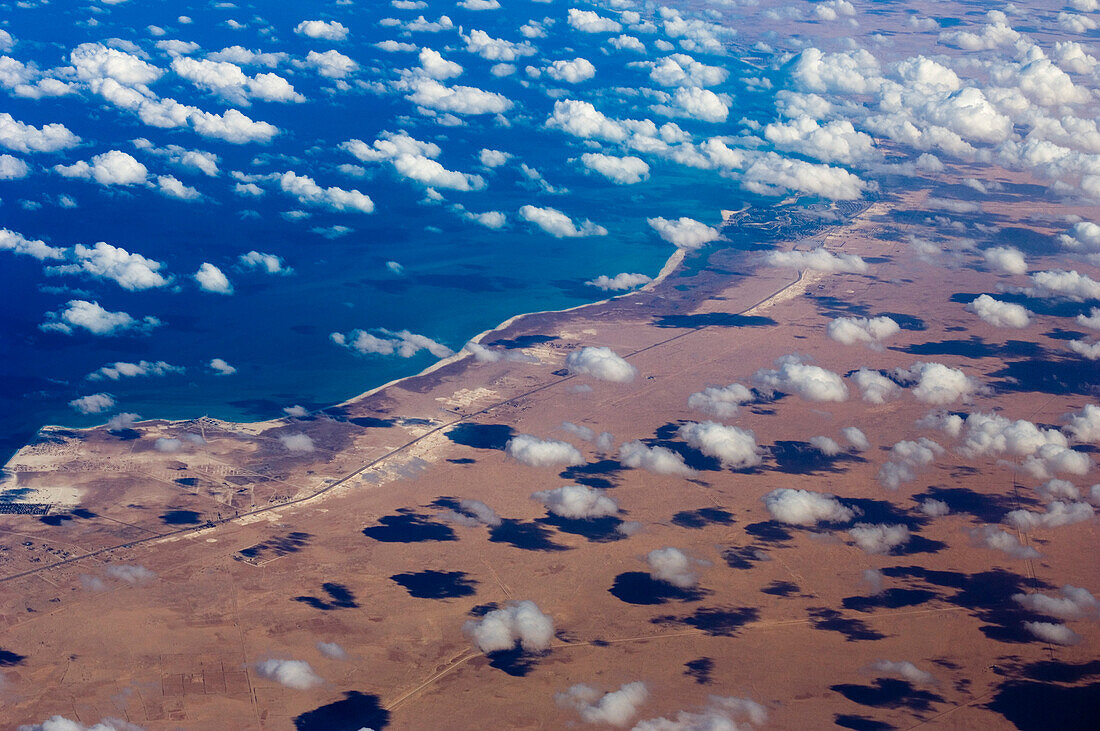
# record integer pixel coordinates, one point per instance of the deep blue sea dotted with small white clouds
(457, 279)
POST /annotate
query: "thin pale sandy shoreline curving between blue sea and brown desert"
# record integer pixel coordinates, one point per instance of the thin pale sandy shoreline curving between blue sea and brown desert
(668, 269)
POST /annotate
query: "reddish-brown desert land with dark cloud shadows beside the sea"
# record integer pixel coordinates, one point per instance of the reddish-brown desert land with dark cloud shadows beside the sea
(249, 552)
